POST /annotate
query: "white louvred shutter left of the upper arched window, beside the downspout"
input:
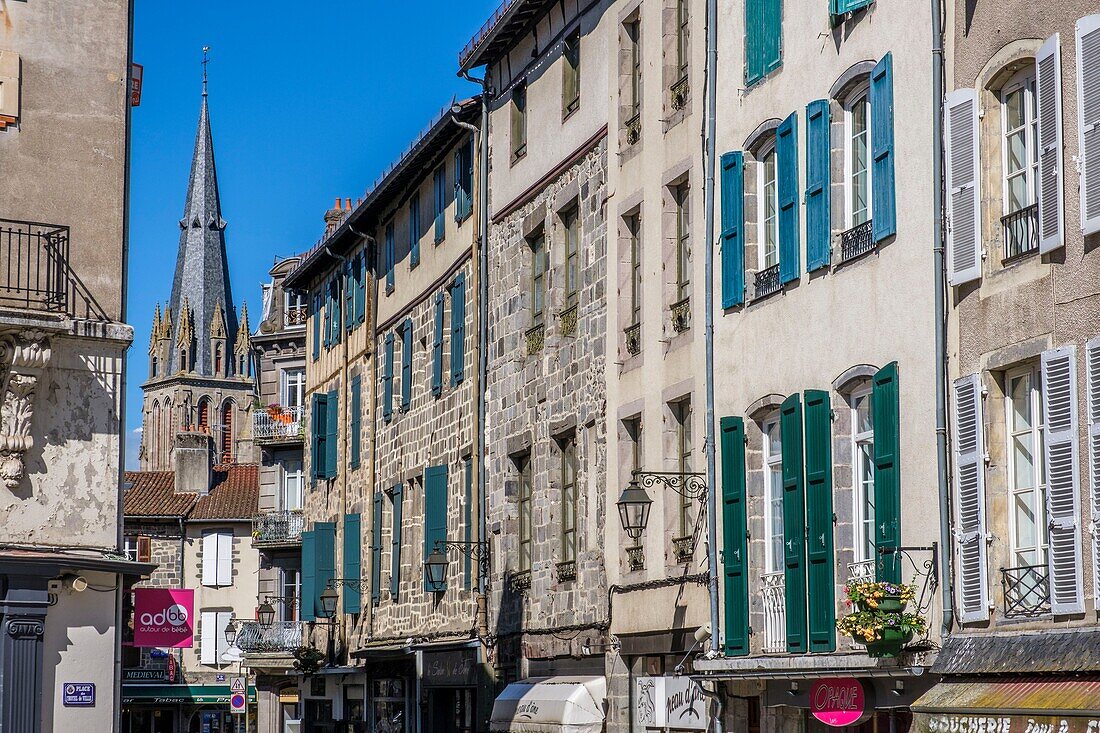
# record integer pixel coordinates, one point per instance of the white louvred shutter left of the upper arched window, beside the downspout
(964, 192)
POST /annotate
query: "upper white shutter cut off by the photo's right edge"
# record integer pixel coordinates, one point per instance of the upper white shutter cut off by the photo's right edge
(1088, 119)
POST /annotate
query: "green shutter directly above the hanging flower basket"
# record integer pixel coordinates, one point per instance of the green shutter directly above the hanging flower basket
(886, 423)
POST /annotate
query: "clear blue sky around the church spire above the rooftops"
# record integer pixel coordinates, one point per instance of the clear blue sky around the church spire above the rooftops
(307, 103)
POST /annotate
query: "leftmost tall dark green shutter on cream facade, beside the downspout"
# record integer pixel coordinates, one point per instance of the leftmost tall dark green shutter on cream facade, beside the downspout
(734, 538)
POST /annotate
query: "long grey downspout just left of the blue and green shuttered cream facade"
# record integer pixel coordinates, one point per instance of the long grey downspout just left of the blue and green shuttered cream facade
(712, 495)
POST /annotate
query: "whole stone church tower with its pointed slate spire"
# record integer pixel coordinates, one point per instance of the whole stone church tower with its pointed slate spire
(201, 376)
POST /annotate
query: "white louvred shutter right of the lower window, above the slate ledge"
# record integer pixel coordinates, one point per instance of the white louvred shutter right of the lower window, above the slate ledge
(1063, 479)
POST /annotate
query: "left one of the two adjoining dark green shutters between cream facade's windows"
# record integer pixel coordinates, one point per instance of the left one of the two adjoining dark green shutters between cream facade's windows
(795, 524)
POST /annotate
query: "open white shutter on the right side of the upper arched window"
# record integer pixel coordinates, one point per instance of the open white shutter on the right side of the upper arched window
(1049, 90)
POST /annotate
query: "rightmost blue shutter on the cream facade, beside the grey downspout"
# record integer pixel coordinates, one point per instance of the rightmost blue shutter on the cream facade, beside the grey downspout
(884, 215)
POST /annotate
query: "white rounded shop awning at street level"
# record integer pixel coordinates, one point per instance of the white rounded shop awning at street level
(552, 705)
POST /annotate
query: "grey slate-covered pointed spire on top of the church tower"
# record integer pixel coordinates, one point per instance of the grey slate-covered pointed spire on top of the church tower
(202, 266)
